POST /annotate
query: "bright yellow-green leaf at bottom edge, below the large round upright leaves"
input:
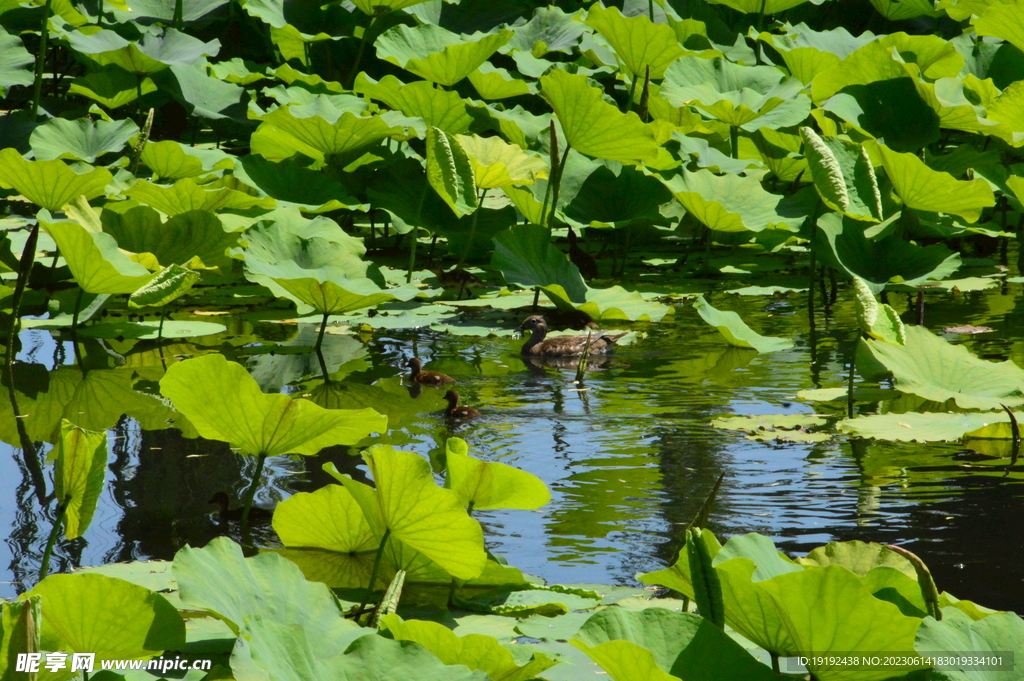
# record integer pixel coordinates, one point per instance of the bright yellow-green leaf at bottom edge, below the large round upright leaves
(478, 652)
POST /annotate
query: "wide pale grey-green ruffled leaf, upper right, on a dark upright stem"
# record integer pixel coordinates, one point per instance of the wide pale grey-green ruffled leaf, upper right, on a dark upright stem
(745, 97)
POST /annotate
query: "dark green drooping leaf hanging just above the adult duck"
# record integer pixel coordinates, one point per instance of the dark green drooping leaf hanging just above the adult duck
(526, 257)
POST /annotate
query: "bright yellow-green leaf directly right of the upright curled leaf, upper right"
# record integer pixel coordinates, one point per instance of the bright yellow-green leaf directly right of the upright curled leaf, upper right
(921, 188)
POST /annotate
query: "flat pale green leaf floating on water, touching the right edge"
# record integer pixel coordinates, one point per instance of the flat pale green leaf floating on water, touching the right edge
(911, 428)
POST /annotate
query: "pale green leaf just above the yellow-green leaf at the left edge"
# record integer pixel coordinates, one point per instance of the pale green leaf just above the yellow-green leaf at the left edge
(81, 140)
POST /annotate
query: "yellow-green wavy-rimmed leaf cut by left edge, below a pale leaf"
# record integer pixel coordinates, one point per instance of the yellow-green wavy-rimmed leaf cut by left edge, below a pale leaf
(50, 185)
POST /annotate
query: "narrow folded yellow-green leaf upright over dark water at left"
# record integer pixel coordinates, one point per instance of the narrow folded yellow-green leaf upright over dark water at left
(79, 476)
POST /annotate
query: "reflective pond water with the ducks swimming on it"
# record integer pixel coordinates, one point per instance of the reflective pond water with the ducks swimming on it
(629, 460)
